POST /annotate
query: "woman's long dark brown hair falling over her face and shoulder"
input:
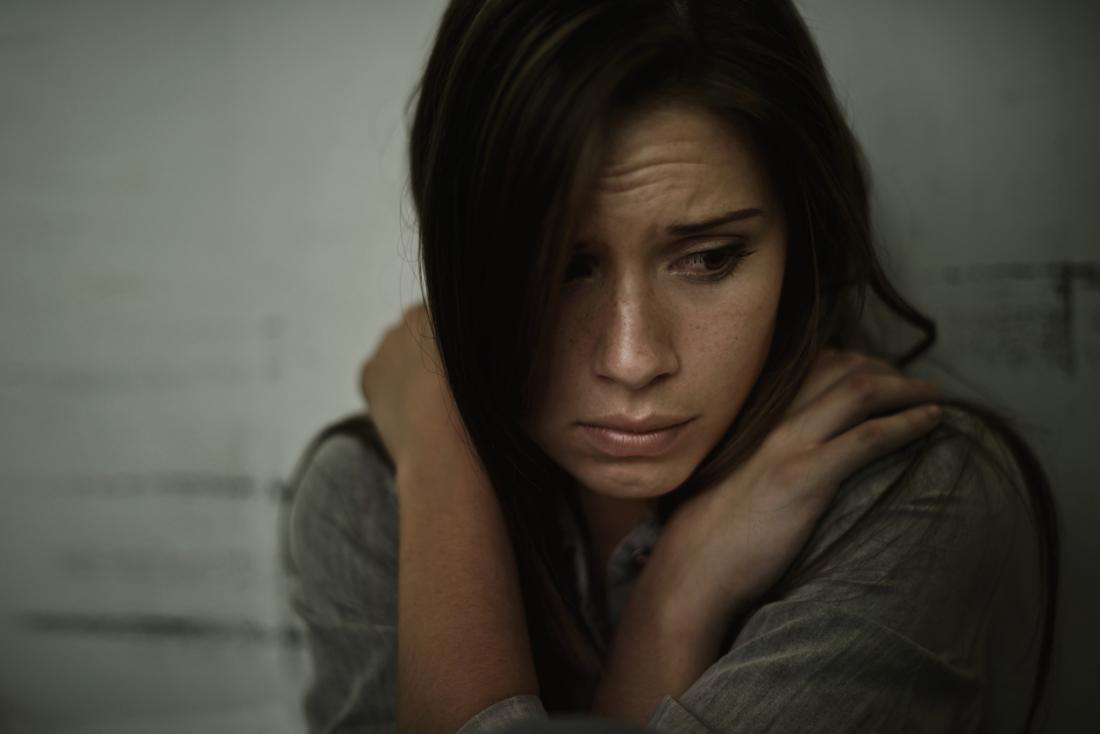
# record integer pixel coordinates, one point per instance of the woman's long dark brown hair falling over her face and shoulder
(508, 128)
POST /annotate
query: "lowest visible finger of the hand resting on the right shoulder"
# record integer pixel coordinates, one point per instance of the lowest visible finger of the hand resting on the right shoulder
(846, 454)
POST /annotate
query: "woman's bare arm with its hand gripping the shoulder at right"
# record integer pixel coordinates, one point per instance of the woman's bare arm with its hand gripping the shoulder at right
(724, 549)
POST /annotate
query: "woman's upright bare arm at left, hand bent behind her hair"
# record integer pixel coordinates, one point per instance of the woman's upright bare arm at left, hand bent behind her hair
(463, 637)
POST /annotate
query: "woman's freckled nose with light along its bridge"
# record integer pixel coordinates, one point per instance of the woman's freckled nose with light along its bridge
(635, 346)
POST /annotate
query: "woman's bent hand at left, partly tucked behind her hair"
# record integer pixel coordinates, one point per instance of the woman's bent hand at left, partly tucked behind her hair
(404, 386)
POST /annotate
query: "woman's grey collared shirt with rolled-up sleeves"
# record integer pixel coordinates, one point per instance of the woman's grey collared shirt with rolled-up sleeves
(923, 616)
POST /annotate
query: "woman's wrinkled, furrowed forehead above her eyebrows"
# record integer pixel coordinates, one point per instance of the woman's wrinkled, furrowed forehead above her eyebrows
(676, 157)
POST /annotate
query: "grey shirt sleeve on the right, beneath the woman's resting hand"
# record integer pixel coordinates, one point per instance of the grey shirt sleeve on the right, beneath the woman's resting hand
(915, 604)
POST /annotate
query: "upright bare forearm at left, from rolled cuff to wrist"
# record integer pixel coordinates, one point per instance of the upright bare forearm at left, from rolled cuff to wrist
(463, 637)
